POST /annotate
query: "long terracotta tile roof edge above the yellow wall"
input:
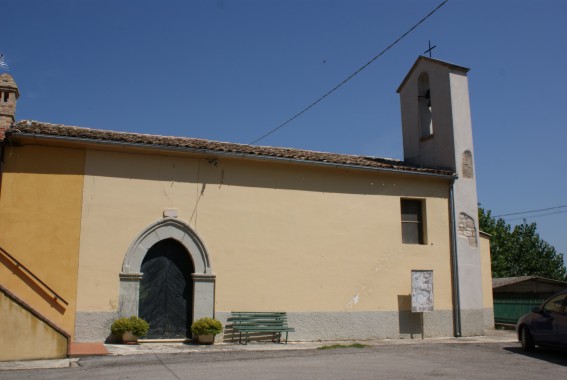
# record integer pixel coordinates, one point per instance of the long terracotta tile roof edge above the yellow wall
(208, 146)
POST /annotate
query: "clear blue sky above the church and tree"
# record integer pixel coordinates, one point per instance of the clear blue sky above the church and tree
(232, 70)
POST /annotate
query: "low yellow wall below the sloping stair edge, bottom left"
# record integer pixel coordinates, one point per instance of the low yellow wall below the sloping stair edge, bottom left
(25, 337)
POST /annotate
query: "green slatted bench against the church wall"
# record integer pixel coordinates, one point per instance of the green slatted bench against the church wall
(260, 322)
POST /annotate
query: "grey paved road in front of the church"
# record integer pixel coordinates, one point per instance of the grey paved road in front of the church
(408, 361)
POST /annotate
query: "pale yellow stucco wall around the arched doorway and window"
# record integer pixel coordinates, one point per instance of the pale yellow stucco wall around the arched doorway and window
(280, 236)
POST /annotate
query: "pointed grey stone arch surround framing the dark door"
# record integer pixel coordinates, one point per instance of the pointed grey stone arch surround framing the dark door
(173, 230)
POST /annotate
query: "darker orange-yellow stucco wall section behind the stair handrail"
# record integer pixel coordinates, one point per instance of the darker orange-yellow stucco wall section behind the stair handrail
(40, 215)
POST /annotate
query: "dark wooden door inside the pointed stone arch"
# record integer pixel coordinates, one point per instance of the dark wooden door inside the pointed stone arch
(166, 291)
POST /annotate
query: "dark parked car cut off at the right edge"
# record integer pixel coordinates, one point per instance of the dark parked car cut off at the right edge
(545, 325)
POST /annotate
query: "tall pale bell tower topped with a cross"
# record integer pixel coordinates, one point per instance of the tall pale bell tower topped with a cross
(437, 133)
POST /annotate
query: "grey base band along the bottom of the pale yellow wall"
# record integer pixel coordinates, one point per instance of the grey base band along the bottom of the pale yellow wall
(325, 326)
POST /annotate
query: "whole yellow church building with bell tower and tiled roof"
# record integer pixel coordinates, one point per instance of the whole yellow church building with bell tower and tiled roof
(98, 224)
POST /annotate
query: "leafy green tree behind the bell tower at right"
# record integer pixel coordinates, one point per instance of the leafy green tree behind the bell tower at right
(520, 251)
